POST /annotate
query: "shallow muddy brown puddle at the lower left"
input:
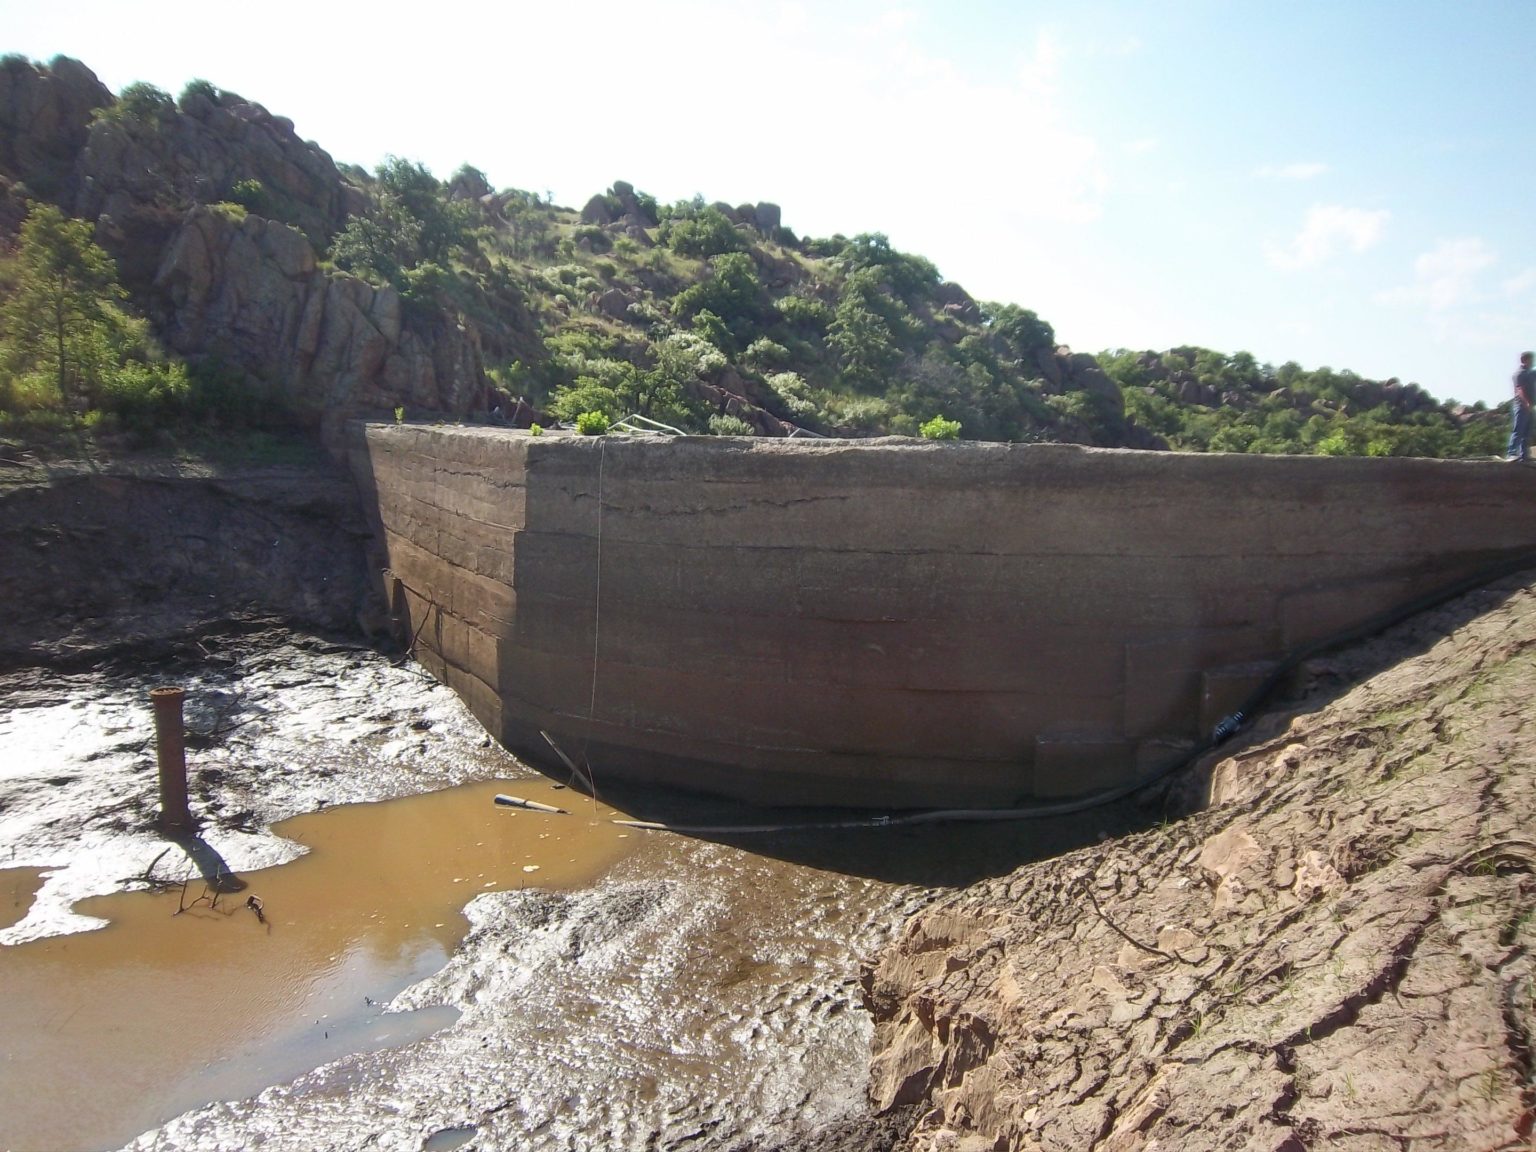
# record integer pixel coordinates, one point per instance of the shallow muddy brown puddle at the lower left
(111, 1033)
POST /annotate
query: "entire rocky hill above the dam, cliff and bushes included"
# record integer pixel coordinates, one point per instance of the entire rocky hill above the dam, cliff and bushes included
(314, 290)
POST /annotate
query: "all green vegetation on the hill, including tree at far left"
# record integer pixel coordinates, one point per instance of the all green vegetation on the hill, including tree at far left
(703, 316)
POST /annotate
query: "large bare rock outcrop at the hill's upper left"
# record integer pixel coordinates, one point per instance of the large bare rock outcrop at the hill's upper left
(240, 291)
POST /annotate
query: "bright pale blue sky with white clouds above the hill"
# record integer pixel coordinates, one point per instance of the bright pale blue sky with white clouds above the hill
(1343, 184)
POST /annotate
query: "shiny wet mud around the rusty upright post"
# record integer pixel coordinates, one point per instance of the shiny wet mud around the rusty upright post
(277, 726)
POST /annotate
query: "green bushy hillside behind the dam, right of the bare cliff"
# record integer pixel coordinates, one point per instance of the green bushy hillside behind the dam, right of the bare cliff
(718, 319)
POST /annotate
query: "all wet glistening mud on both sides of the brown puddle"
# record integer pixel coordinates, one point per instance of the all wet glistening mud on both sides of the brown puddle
(695, 996)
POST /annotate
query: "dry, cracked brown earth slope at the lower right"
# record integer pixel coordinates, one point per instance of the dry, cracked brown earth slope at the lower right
(1337, 953)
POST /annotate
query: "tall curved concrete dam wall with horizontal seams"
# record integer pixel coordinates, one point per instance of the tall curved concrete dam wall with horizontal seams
(893, 623)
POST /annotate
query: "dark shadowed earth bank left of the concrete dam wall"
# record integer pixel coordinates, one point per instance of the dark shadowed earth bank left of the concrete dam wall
(119, 555)
